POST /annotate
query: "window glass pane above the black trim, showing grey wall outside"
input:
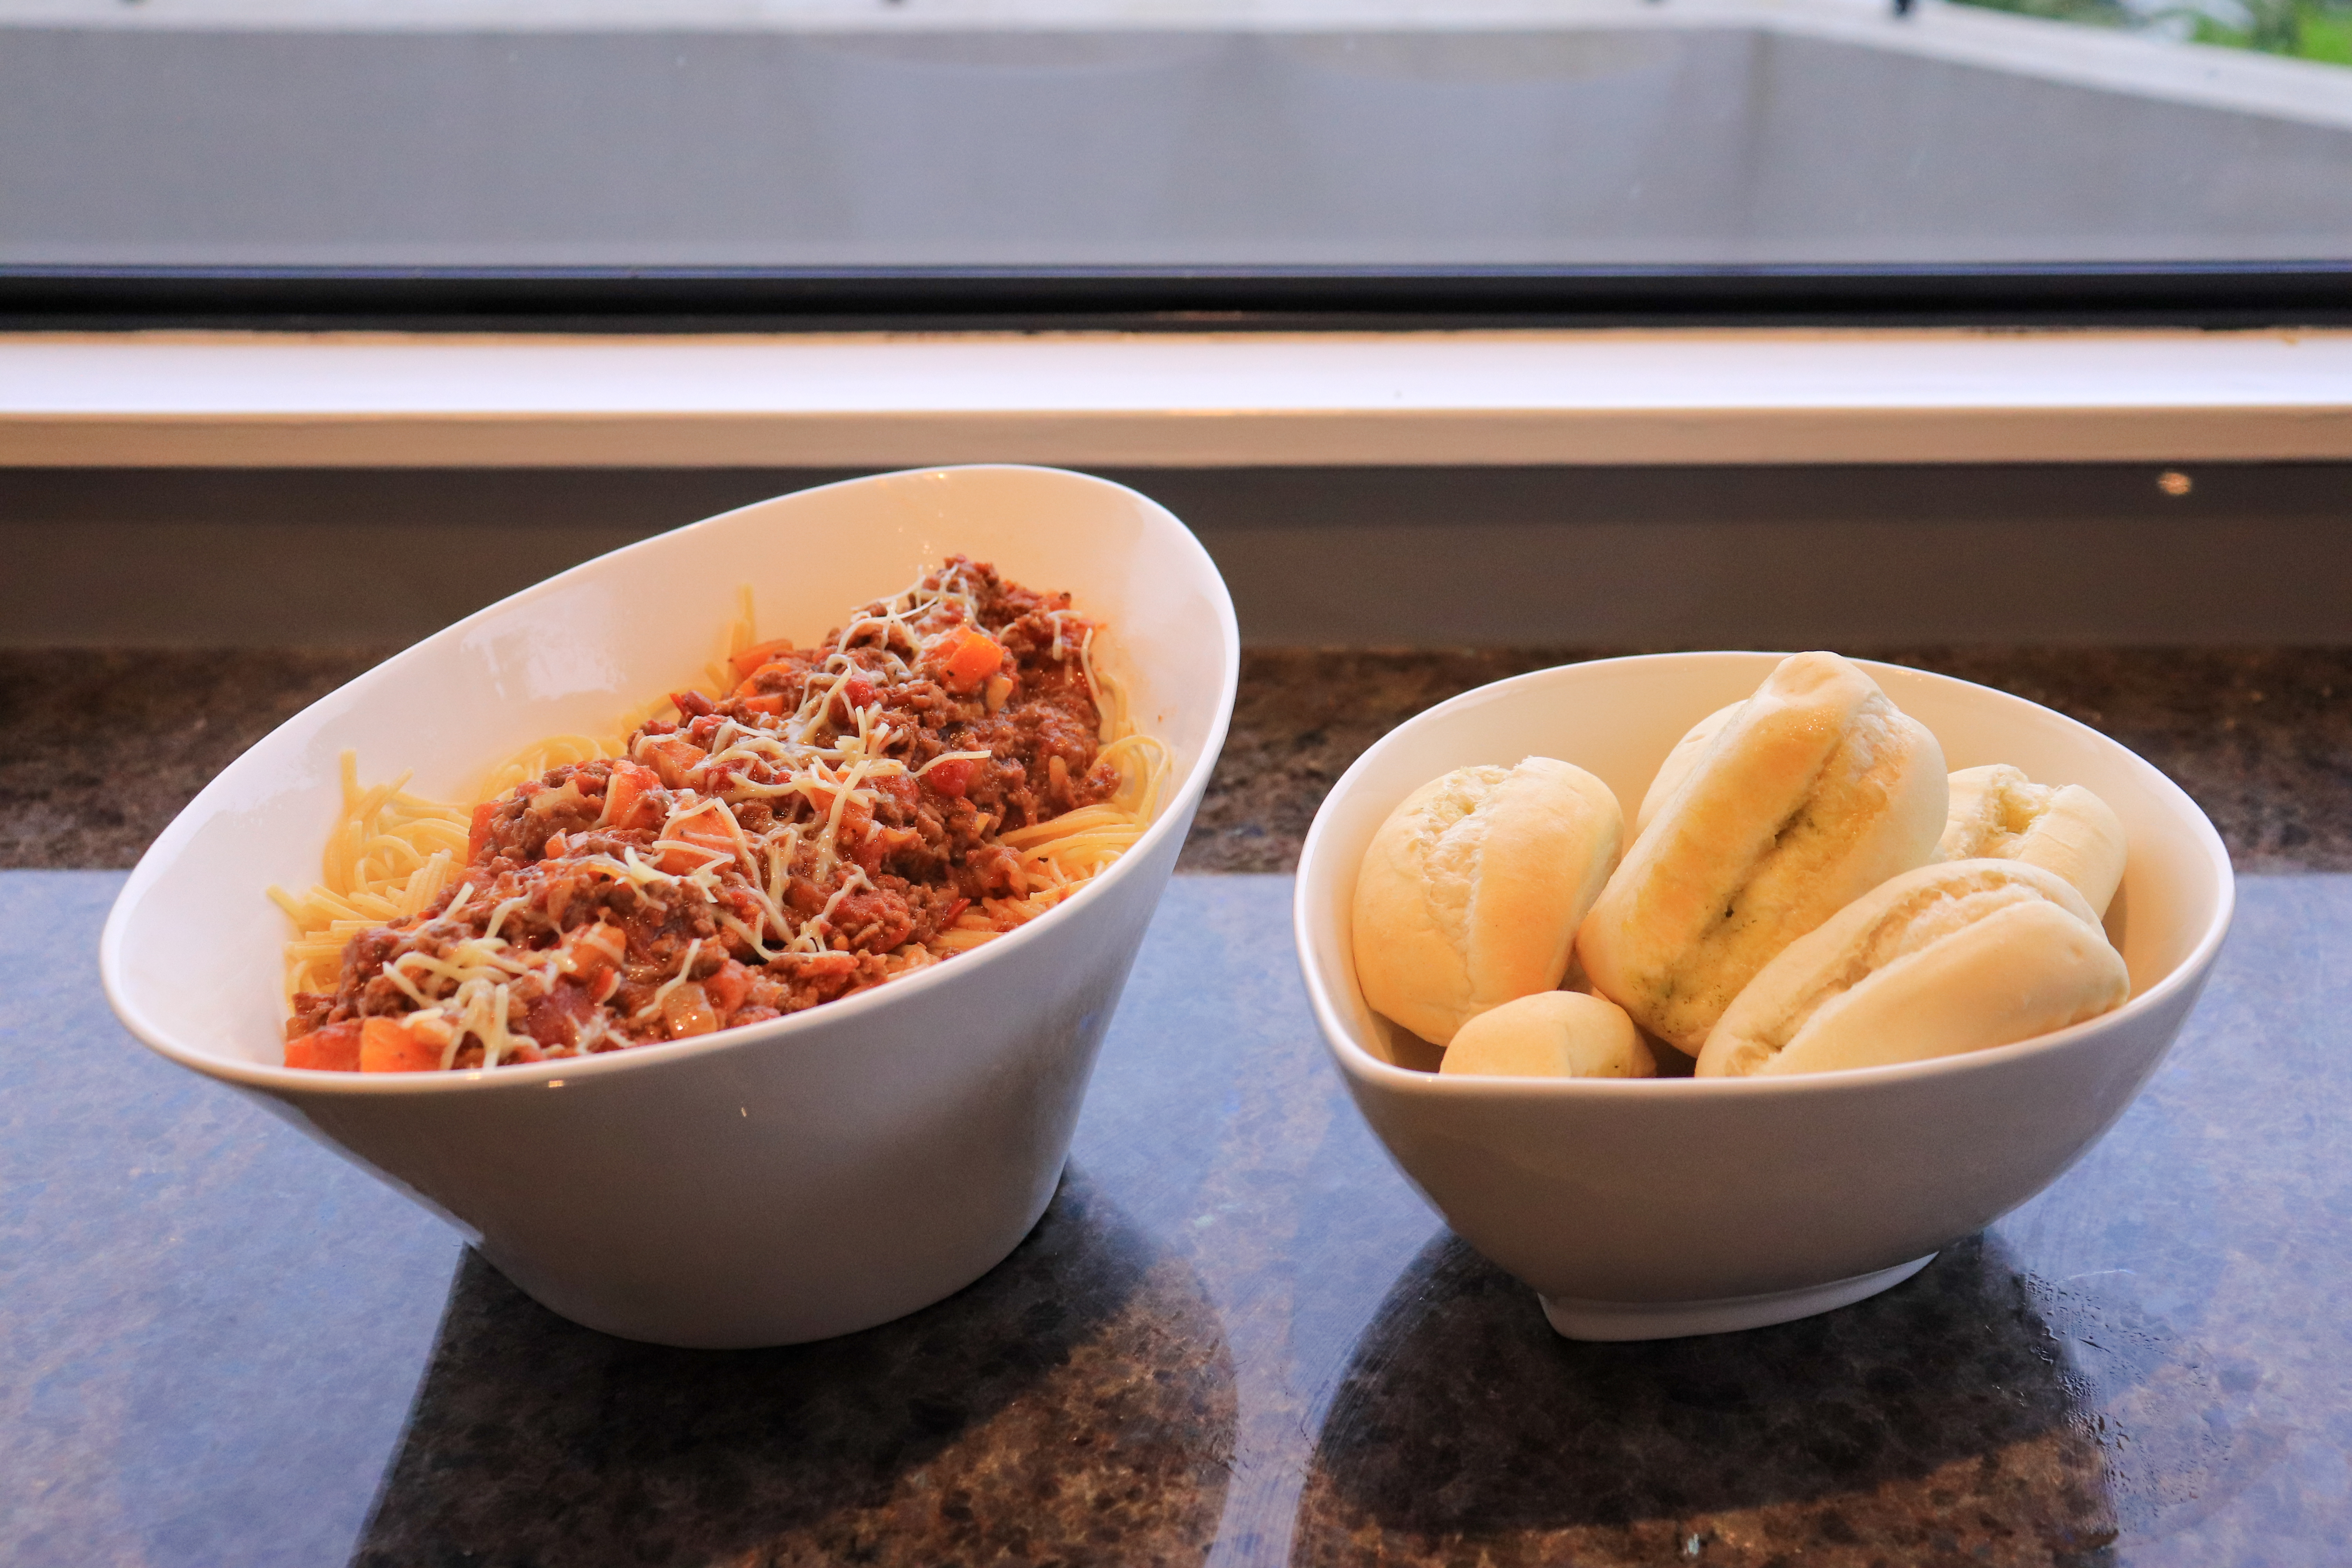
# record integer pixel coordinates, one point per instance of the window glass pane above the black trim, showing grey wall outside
(1681, 133)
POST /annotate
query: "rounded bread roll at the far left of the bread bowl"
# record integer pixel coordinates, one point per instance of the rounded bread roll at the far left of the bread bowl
(1474, 887)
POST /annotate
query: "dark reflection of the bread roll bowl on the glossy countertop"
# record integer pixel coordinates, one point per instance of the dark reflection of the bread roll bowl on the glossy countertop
(1876, 1430)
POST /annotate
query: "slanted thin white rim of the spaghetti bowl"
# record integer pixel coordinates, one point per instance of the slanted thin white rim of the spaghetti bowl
(314, 1083)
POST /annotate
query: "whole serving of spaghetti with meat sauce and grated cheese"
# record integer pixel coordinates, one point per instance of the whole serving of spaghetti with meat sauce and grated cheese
(937, 772)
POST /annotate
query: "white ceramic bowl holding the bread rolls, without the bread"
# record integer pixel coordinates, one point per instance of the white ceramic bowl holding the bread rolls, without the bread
(1666, 1207)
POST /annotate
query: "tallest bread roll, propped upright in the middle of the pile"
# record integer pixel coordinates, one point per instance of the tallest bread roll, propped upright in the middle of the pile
(1810, 796)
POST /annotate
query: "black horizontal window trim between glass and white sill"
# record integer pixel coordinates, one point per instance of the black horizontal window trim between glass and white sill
(2224, 295)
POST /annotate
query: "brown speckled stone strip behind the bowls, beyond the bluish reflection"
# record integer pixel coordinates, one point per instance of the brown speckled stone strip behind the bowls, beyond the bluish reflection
(105, 749)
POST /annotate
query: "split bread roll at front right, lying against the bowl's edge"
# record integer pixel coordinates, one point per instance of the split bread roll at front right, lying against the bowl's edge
(1942, 960)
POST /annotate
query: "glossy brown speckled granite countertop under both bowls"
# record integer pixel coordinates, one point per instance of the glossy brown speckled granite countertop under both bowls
(1238, 1336)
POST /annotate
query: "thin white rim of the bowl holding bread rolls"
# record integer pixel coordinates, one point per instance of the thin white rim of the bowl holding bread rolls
(1370, 1071)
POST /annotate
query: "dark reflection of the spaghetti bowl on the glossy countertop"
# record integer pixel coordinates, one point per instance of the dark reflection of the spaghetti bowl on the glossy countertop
(1074, 1405)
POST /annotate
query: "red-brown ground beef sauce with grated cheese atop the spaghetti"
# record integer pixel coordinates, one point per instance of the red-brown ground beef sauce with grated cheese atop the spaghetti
(589, 873)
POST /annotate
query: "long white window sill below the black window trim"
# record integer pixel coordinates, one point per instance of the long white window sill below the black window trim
(1191, 401)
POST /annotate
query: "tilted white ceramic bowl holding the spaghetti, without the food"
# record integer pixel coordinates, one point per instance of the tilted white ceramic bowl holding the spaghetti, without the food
(775, 1184)
